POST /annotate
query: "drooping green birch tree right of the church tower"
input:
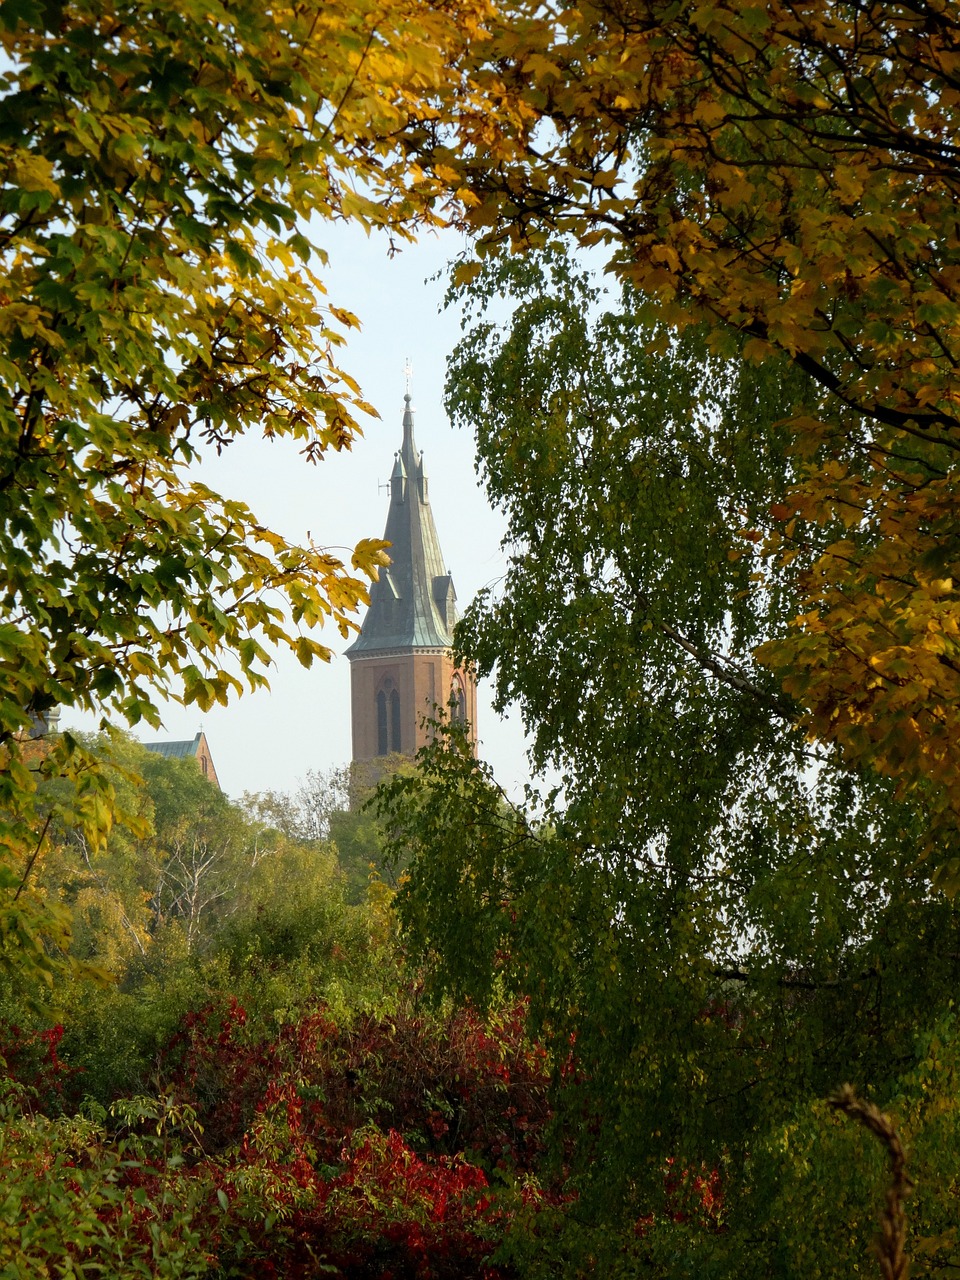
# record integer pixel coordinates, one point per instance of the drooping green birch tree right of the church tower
(716, 922)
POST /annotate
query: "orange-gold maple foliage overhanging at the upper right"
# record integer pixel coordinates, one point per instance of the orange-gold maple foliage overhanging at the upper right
(785, 177)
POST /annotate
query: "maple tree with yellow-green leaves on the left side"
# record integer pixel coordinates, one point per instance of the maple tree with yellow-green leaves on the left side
(166, 168)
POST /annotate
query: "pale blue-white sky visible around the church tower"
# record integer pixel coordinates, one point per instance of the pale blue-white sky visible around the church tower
(271, 739)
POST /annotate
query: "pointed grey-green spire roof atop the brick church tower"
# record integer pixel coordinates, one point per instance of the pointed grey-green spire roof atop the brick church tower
(413, 604)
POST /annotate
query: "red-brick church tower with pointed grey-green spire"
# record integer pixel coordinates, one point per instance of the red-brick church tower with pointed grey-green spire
(401, 665)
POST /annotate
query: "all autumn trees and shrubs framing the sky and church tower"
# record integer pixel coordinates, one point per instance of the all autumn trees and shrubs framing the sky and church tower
(659, 1018)
